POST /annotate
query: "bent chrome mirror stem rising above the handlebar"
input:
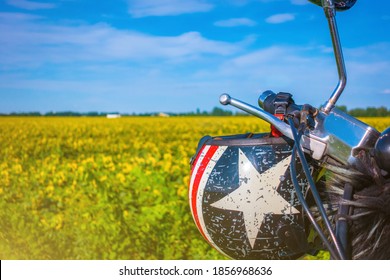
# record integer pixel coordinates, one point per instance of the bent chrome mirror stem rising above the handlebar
(330, 13)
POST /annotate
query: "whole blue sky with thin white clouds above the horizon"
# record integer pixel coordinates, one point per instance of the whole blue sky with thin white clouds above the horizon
(135, 56)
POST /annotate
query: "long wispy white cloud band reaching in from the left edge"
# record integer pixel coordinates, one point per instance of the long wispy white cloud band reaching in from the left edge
(31, 42)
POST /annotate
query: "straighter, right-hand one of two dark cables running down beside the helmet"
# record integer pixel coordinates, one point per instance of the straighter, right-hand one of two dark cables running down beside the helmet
(340, 252)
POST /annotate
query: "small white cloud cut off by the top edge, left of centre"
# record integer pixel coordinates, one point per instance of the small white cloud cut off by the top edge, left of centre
(144, 8)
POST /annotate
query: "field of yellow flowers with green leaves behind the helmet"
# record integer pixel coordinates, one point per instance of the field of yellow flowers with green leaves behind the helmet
(97, 188)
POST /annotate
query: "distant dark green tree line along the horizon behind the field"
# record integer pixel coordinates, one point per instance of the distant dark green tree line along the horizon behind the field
(216, 111)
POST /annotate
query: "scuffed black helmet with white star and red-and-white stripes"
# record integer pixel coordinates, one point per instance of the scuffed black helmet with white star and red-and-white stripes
(242, 198)
